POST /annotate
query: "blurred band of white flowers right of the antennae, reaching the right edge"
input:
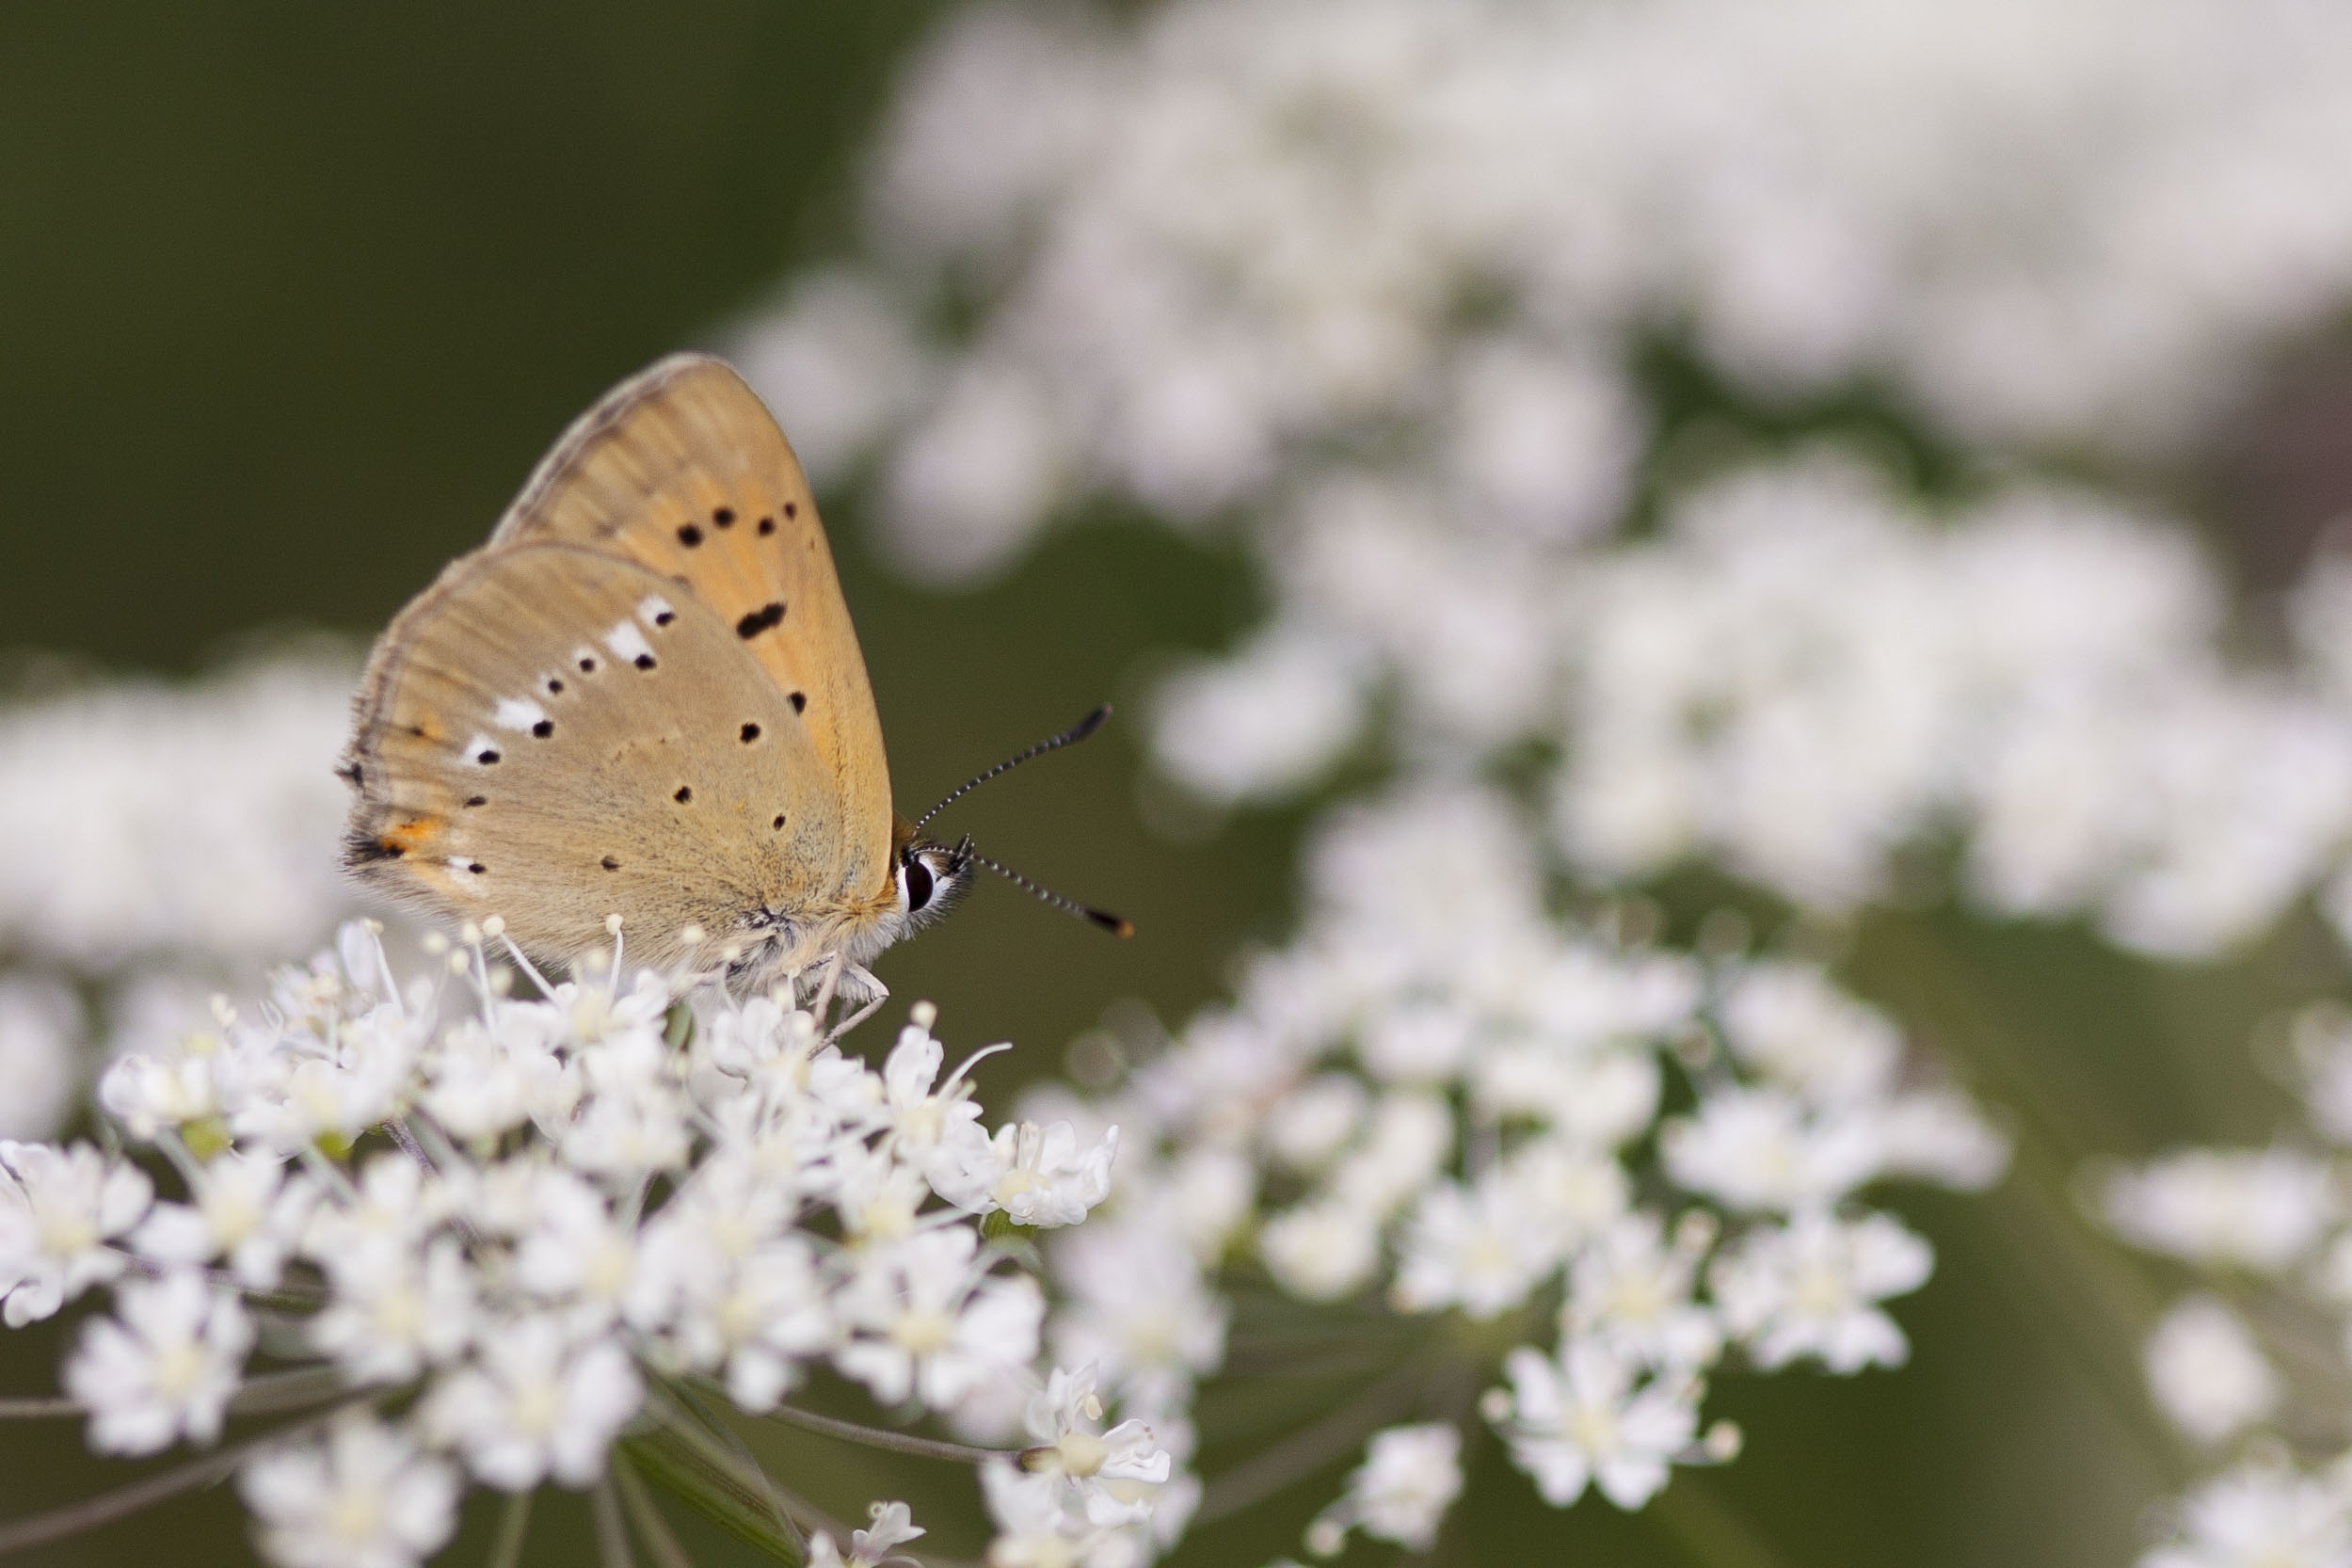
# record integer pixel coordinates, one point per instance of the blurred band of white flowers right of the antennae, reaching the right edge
(1805, 674)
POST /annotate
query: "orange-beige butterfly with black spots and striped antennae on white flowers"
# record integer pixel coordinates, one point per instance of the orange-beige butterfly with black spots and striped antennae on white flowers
(646, 699)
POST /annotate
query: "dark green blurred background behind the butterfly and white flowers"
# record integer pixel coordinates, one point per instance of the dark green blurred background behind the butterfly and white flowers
(290, 302)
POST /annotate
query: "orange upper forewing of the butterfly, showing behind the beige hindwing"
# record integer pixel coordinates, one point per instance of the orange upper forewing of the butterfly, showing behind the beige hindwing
(683, 471)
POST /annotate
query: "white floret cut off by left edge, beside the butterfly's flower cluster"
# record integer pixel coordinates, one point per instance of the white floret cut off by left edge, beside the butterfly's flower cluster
(58, 1214)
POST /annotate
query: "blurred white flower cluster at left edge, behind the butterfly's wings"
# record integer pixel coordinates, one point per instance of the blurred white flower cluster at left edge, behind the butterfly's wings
(149, 833)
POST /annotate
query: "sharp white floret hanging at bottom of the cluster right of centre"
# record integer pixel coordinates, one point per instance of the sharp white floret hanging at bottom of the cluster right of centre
(1584, 1421)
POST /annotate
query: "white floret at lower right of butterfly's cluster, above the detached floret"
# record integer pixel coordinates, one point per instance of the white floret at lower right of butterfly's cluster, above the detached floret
(928, 1325)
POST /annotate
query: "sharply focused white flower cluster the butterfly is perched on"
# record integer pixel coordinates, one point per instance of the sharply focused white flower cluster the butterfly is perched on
(495, 1235)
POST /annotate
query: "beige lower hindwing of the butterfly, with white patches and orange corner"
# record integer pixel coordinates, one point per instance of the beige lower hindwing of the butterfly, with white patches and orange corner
(559, 735)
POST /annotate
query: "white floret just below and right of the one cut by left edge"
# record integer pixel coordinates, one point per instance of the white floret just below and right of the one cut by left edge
(166, 1367)
